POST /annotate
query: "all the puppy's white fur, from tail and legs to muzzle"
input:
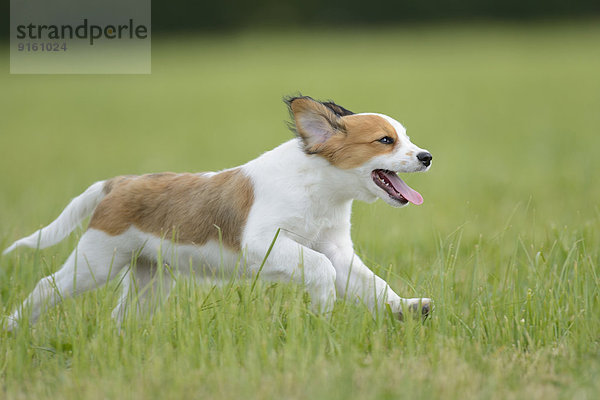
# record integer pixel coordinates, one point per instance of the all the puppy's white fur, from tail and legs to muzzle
(303, 196)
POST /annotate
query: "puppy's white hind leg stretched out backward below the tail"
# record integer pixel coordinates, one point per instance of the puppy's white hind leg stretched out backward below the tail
(97, 258)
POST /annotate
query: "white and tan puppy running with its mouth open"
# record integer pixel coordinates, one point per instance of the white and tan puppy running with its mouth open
(303, 189)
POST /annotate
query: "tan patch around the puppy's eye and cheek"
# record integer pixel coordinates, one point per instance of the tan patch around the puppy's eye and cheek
(360, 141)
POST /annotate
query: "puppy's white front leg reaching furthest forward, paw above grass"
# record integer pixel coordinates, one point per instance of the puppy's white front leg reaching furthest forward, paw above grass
(355, 281)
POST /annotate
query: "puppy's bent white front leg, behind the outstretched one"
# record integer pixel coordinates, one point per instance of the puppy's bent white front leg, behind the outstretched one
(291, 261)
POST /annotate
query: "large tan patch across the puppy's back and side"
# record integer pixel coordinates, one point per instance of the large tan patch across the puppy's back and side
(185, 207)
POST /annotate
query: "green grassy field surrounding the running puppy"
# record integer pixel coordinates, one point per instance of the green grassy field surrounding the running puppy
(507, 242)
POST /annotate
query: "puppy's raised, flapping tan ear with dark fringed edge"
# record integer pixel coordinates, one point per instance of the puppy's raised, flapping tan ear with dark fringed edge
(314, 122)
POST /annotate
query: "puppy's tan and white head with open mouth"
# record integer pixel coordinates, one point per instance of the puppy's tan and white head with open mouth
(372, 146)
